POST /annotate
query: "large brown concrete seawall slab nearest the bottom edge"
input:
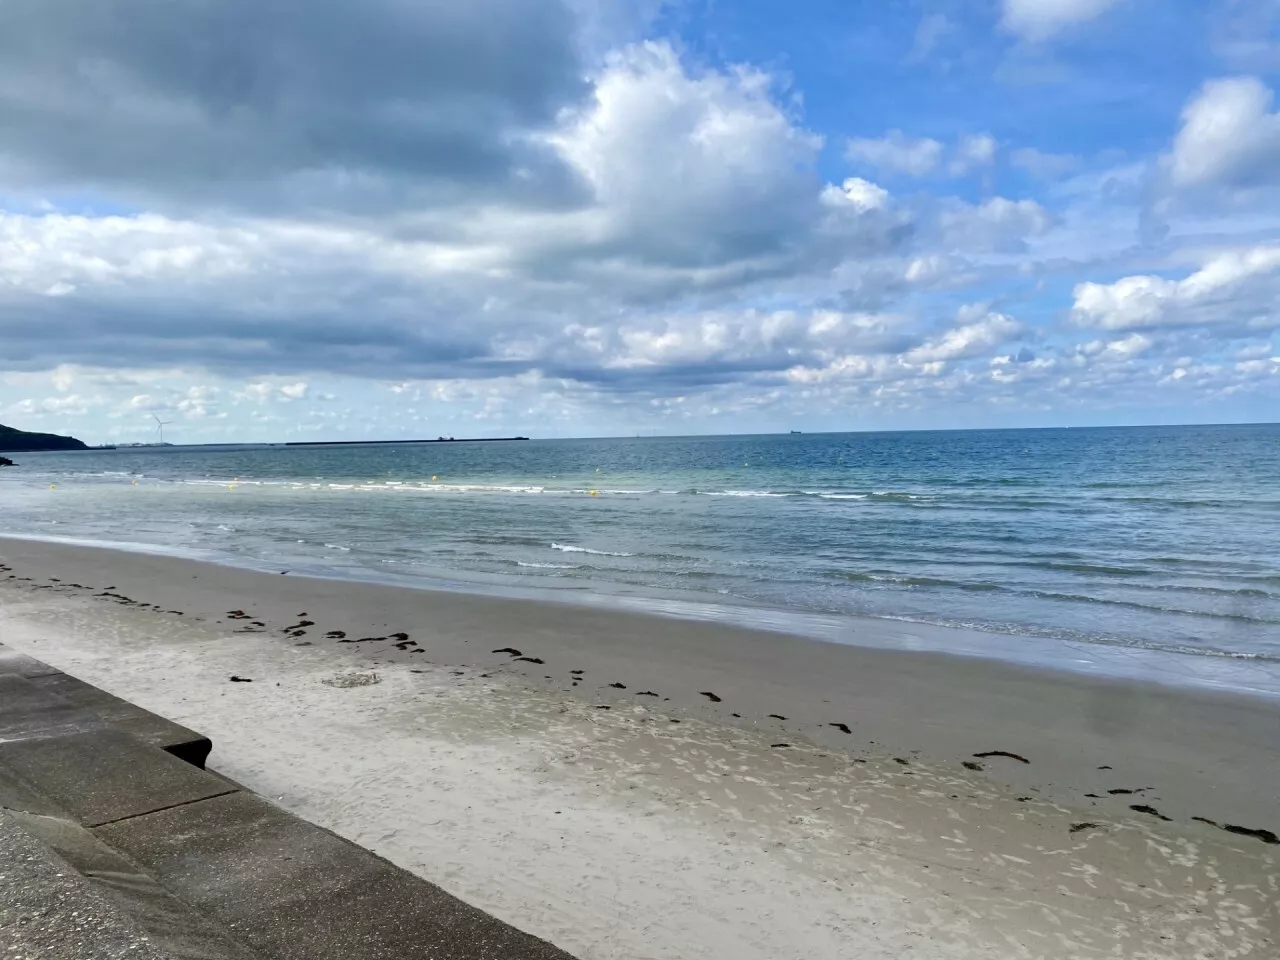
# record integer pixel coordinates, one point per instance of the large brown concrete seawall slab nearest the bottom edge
(299, 893)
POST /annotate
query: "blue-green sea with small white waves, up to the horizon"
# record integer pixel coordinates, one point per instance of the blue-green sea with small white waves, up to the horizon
(1150, 552)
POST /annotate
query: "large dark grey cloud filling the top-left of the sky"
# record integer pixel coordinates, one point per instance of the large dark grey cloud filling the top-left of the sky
(263, 103)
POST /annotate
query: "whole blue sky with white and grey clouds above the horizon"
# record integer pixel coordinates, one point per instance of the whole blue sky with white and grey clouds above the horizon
(327, 220)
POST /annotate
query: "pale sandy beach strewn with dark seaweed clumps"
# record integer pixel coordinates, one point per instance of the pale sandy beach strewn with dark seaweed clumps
(643, 788)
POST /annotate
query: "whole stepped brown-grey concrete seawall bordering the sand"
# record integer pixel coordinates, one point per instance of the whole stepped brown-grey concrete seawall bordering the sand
(190, 861)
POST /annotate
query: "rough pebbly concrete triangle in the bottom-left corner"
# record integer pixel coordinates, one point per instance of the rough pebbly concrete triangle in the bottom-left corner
(49, 912)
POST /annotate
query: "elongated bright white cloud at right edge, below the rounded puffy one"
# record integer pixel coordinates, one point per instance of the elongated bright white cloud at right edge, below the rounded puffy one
(1238, 290)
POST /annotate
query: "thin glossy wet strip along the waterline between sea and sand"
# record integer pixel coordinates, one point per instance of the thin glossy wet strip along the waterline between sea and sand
(1235, 674)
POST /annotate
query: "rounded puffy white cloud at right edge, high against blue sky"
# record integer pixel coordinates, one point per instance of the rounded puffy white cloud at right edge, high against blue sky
(1229, 138)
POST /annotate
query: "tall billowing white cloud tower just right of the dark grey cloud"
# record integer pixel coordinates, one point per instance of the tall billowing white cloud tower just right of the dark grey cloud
(688, 168)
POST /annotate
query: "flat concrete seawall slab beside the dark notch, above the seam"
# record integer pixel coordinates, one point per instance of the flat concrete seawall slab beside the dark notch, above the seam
(104, 775)
